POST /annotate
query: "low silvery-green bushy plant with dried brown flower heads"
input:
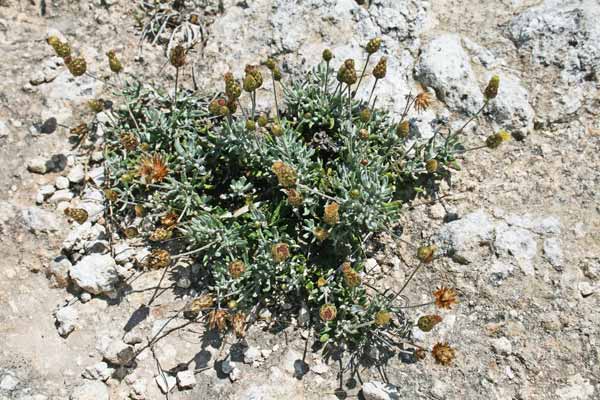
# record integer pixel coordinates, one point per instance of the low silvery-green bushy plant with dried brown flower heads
(277, 205)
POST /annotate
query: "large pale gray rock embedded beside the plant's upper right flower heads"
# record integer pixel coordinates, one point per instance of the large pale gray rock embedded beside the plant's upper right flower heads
(444, 66)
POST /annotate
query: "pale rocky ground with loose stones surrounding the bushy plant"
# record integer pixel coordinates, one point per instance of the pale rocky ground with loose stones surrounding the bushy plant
(520, 226)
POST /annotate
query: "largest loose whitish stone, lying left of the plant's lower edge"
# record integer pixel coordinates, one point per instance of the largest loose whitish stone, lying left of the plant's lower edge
(96, 273)
